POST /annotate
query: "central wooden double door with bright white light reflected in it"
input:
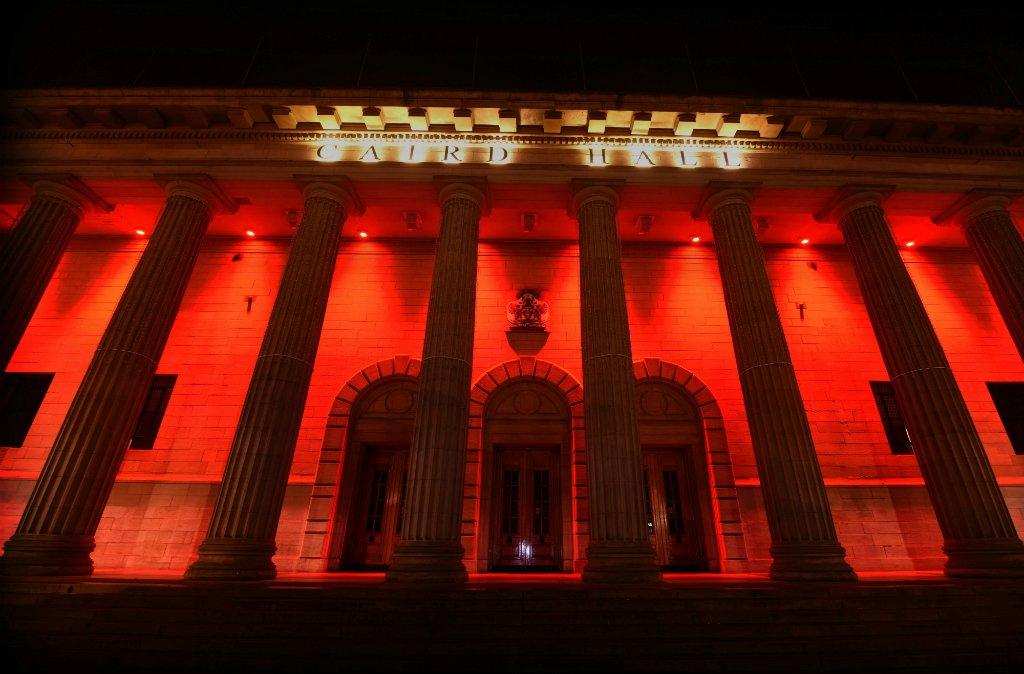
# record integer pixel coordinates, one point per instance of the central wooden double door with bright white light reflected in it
(527, 510)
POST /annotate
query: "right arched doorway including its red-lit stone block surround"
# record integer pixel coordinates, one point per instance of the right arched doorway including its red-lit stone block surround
(691, 496)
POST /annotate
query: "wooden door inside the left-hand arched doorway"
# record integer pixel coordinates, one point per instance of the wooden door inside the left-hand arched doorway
(376, 523)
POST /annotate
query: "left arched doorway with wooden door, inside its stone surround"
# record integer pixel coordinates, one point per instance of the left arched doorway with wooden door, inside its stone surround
(372, 491)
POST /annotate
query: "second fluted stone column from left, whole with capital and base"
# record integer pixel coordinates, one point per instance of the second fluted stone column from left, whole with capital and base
(56, 534)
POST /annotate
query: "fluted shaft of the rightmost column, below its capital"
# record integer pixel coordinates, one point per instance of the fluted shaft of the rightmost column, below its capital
(1000, 249)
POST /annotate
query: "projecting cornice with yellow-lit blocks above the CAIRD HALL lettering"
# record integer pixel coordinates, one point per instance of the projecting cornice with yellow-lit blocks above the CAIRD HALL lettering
(316, 114)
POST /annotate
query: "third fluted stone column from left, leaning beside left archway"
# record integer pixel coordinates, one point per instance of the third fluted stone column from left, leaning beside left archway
(240, 543)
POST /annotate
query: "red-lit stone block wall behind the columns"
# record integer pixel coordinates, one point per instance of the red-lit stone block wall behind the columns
(159, 511)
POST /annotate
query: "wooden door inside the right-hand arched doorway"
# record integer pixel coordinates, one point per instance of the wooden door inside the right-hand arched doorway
(673, 521)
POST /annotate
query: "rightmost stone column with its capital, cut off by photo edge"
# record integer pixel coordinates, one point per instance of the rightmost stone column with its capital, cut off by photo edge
(998, 244)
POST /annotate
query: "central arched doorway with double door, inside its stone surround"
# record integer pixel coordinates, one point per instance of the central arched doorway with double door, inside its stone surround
(527, 479)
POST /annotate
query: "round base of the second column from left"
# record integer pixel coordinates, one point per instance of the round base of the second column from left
(40, 555)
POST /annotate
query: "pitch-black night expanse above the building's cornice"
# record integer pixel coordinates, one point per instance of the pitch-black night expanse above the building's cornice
(965, 54)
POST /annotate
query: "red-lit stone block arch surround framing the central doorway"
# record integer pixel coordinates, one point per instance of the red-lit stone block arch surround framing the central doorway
(554, 384)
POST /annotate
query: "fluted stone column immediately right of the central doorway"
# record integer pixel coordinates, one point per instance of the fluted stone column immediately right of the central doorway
(620, 549)
